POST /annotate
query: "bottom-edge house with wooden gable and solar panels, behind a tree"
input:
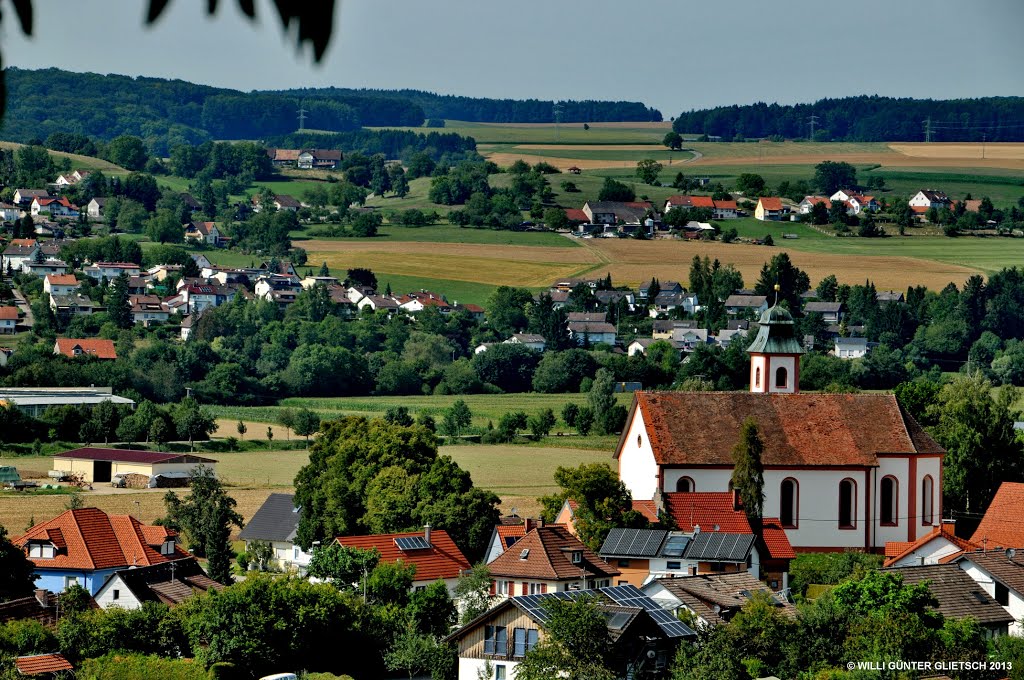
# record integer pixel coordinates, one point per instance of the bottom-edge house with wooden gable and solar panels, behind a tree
(643, 637)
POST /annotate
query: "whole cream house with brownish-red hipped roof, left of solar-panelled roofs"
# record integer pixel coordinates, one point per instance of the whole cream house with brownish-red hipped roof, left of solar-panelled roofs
(548, 559)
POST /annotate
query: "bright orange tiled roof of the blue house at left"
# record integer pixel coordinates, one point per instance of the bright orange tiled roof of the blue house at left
(90, 539)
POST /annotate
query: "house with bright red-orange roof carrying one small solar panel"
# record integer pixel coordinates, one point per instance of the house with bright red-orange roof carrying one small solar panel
(432, 551)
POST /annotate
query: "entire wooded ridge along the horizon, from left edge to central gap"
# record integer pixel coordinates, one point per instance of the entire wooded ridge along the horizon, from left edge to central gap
(167, 113)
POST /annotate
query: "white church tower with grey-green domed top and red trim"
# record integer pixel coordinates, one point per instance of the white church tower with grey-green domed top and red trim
(776, 355)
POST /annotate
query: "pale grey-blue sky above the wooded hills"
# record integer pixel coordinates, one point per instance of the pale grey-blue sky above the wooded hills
(673, 55)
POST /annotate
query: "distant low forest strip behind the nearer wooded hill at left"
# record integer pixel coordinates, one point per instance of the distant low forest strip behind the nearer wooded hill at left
(484, 110)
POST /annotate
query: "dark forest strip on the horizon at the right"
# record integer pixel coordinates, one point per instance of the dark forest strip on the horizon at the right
(866, 119)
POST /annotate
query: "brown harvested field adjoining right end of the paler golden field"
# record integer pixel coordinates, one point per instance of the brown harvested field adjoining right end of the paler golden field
(632, 263)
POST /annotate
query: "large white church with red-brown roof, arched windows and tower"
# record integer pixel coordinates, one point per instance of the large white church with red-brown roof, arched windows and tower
(841, 472)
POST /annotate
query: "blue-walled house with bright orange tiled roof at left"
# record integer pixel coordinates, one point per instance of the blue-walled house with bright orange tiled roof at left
(83, 547)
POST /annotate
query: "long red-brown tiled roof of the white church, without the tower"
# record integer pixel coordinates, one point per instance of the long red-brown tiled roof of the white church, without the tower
(701, 429)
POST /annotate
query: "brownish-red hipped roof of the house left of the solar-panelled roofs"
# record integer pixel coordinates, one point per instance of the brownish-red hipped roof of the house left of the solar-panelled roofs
(549, 558)
